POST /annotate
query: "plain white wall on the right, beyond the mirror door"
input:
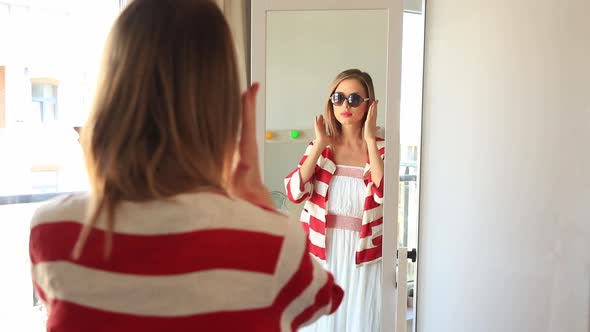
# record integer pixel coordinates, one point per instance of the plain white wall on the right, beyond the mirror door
(505, 228)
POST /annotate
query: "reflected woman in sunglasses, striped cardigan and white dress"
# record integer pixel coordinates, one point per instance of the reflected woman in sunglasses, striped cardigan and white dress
(340, 178)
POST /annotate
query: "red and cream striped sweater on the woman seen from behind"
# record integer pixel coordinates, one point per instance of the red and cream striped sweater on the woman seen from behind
(200, 262)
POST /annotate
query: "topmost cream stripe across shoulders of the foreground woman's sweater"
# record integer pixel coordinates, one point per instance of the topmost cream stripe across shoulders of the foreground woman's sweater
(191, 212)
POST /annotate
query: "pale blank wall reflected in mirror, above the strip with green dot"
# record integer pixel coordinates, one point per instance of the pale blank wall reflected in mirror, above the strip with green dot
(305, 52)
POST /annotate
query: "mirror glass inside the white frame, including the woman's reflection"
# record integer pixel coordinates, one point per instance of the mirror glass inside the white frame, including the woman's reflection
(311, 56)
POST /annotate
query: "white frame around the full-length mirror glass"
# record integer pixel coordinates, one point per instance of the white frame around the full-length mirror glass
(392, 118)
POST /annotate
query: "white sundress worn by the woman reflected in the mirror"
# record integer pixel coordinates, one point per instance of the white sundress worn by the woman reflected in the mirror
(360, 308)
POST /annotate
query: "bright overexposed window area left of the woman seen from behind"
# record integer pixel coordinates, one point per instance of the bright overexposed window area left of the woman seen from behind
(49, 56)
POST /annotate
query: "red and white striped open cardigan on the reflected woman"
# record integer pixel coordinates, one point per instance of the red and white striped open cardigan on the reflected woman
(316, 192)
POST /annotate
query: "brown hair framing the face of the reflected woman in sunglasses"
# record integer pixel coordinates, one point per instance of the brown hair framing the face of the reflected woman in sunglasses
(334, 127)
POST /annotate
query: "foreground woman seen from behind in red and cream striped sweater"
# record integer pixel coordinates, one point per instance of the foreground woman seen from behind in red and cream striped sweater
(176, 233)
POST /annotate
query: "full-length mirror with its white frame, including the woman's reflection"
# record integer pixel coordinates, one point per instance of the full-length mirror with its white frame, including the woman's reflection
(329, 105)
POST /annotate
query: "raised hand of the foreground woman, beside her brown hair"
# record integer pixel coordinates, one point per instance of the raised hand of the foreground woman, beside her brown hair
(245, 182)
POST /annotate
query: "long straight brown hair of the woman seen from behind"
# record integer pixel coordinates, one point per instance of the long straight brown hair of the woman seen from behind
(167, 110)
